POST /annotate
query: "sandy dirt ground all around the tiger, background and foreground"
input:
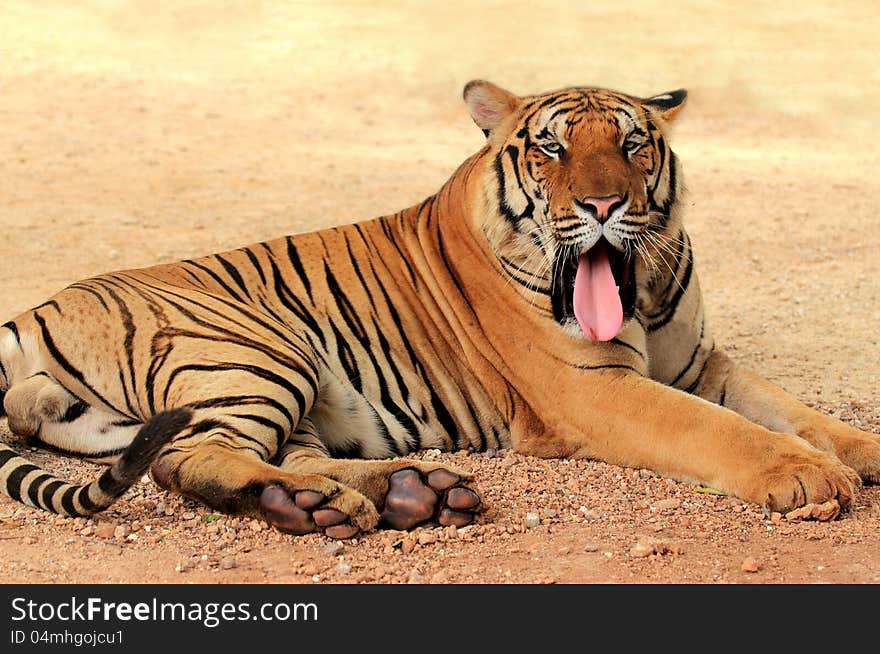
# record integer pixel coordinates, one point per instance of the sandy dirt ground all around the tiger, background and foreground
(132, 134)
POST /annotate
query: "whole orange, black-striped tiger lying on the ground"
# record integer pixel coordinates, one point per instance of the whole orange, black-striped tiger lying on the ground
(544, 299)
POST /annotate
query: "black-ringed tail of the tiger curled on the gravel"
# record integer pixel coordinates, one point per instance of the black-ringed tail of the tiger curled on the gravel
(25, 482)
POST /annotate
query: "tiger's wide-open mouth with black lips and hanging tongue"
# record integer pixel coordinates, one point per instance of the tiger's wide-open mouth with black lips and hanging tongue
(596, 289)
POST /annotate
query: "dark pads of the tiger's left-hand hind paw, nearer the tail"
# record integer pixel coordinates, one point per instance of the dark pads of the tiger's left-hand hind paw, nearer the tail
(303, 513)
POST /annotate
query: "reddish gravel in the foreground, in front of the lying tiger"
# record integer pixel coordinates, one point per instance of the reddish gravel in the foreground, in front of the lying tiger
(652, 530)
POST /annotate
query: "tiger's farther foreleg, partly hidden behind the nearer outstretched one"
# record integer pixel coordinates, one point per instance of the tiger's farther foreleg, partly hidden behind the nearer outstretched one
(761, 401)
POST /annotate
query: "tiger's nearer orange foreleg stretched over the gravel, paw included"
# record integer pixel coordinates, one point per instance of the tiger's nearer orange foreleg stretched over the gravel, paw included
(630, 420)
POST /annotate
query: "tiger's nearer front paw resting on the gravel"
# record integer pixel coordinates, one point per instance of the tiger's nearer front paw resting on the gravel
(802, 476)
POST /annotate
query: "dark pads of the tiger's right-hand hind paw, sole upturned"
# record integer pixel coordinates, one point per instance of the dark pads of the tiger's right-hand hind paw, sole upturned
(439, 495)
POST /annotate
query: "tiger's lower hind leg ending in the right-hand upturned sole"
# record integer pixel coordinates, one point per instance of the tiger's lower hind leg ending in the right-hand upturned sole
(406, 492)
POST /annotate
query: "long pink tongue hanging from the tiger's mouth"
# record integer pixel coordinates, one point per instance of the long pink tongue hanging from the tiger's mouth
(597, 304)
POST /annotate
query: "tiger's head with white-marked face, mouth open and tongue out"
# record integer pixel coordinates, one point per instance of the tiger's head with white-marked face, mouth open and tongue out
(582, 189)
